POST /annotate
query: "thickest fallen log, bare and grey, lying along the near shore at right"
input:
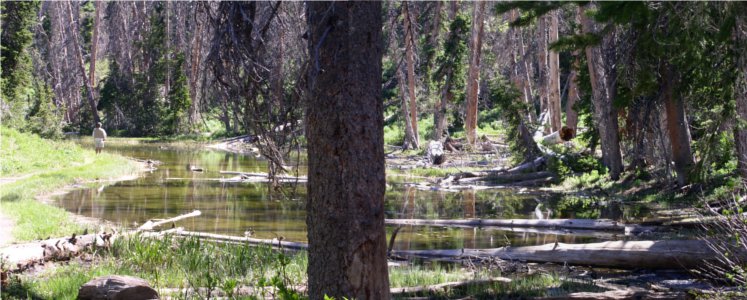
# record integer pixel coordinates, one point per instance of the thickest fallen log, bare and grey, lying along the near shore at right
(670, 254)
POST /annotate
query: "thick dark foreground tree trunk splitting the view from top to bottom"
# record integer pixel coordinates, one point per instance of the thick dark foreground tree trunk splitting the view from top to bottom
(347, 240)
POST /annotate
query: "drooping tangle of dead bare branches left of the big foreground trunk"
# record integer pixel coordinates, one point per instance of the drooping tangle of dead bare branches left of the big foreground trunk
(241, 63)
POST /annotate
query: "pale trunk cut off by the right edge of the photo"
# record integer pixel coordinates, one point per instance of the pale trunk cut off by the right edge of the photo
(740, 90)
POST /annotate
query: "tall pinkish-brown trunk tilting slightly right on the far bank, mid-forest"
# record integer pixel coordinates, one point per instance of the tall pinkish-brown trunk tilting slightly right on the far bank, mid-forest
(473, 75)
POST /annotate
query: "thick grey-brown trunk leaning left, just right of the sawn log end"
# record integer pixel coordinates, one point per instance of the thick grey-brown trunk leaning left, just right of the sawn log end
(605, 114)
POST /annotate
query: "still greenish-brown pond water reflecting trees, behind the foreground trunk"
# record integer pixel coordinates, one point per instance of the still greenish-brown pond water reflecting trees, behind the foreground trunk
(235, 208)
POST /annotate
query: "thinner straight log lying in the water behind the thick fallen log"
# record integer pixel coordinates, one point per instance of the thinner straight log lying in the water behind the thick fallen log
(593, 224)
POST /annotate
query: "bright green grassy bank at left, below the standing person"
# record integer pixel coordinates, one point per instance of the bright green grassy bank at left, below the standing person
(42, 166)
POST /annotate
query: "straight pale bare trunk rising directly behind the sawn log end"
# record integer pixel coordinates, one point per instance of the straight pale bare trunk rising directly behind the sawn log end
(553, 95)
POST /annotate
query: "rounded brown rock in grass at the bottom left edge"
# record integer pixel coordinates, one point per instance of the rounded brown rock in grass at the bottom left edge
(116, 287)
